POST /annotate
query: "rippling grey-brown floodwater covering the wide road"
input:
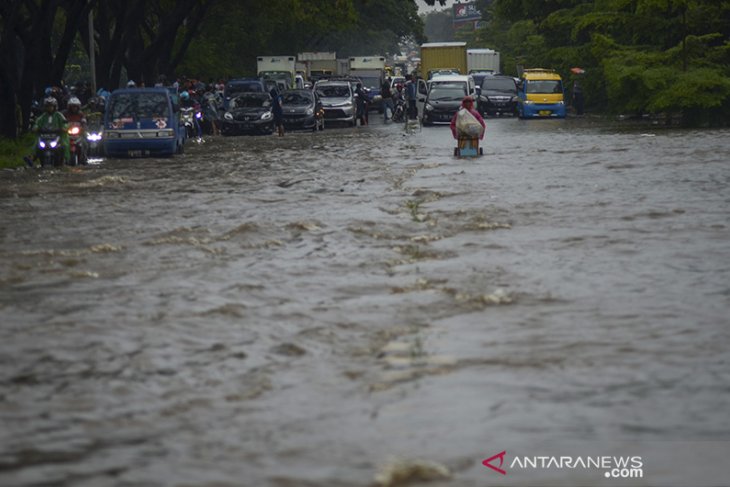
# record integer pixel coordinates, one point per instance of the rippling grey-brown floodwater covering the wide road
(315, 309)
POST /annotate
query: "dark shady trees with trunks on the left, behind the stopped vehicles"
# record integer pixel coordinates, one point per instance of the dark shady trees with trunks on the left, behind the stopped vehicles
(204, 38)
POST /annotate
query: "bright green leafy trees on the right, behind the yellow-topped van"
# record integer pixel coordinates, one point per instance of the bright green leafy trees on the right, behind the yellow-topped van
(639, 56)
